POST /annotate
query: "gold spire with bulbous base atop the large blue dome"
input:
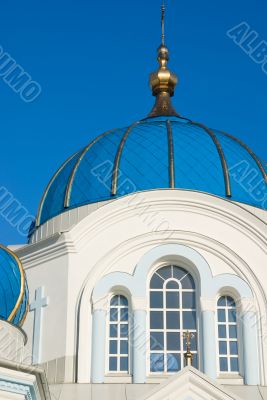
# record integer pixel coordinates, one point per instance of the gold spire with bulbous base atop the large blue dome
(163, 81)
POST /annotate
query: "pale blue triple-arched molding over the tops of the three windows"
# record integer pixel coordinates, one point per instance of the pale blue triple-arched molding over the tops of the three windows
(184, 256)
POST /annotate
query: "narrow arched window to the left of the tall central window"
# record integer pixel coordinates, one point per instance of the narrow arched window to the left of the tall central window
(118, 335)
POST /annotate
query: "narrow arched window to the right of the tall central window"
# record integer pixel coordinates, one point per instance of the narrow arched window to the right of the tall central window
(227, 335)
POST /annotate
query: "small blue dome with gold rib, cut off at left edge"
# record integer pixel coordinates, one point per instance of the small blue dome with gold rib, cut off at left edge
(13, 288)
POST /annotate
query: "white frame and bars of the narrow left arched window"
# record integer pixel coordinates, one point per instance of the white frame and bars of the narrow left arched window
(108, 372)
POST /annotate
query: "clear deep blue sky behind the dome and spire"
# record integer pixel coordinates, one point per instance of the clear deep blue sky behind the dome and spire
(92, 60)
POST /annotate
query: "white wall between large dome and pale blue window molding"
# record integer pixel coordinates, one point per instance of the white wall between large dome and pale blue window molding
(114, 238)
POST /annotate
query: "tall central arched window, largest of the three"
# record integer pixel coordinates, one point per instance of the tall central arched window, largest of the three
(172, 313)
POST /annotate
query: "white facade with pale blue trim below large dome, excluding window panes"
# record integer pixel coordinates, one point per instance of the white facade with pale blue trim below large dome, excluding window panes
(82, 257)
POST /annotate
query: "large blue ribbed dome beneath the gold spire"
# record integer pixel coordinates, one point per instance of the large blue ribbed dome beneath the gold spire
(156, 153)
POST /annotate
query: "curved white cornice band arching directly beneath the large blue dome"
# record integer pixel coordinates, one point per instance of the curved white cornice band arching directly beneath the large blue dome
(188, 201)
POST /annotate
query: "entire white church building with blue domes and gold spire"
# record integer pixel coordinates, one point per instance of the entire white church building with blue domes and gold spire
(144, 277)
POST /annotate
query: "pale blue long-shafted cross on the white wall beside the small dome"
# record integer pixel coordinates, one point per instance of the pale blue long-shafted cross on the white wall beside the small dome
(37, 306)
